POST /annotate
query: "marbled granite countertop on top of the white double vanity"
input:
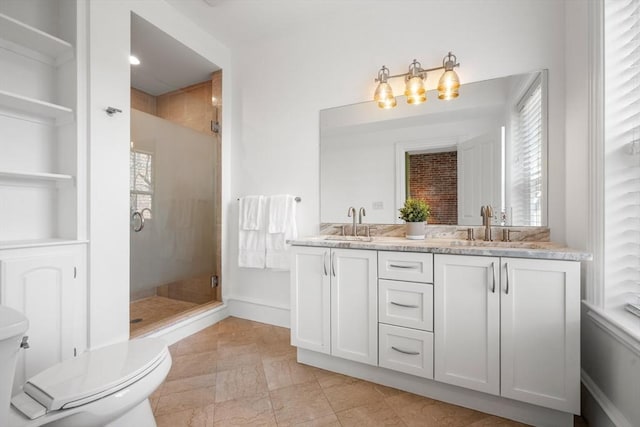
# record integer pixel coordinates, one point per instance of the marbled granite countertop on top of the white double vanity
(539, 250)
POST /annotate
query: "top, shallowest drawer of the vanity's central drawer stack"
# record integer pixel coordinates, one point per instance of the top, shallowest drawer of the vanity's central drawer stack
(409, 266)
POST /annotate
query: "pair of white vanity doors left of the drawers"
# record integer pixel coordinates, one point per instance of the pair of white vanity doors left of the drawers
(334, 302)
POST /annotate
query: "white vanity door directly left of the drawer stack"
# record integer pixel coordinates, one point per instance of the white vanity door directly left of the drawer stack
(354, 301)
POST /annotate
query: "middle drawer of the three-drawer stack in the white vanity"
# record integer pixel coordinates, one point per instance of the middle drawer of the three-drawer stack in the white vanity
(405, 304)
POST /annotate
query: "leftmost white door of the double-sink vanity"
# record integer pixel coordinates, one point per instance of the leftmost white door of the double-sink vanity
(310, 299)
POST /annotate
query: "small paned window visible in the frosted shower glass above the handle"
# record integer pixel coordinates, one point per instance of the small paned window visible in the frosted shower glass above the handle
(141, 182)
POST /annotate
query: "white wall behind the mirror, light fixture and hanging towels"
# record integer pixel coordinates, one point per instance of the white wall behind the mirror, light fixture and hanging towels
(283, 83)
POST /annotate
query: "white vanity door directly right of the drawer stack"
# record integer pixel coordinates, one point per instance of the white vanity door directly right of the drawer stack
(467, 322)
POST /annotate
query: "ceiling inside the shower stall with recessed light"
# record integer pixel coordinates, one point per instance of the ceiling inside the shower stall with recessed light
(165, 63)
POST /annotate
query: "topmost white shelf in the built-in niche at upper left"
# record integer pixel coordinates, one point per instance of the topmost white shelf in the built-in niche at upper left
(31, 38)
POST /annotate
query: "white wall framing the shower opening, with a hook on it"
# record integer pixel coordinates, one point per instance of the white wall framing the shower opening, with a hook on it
(109, 47)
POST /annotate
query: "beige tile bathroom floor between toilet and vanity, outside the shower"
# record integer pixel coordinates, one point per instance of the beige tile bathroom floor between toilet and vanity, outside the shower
(240, 372)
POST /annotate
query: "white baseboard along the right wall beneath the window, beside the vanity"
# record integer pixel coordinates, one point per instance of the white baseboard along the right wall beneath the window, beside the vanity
(597, 409)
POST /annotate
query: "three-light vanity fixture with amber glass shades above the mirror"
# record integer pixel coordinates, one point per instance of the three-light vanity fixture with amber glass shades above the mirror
(414, 83)
